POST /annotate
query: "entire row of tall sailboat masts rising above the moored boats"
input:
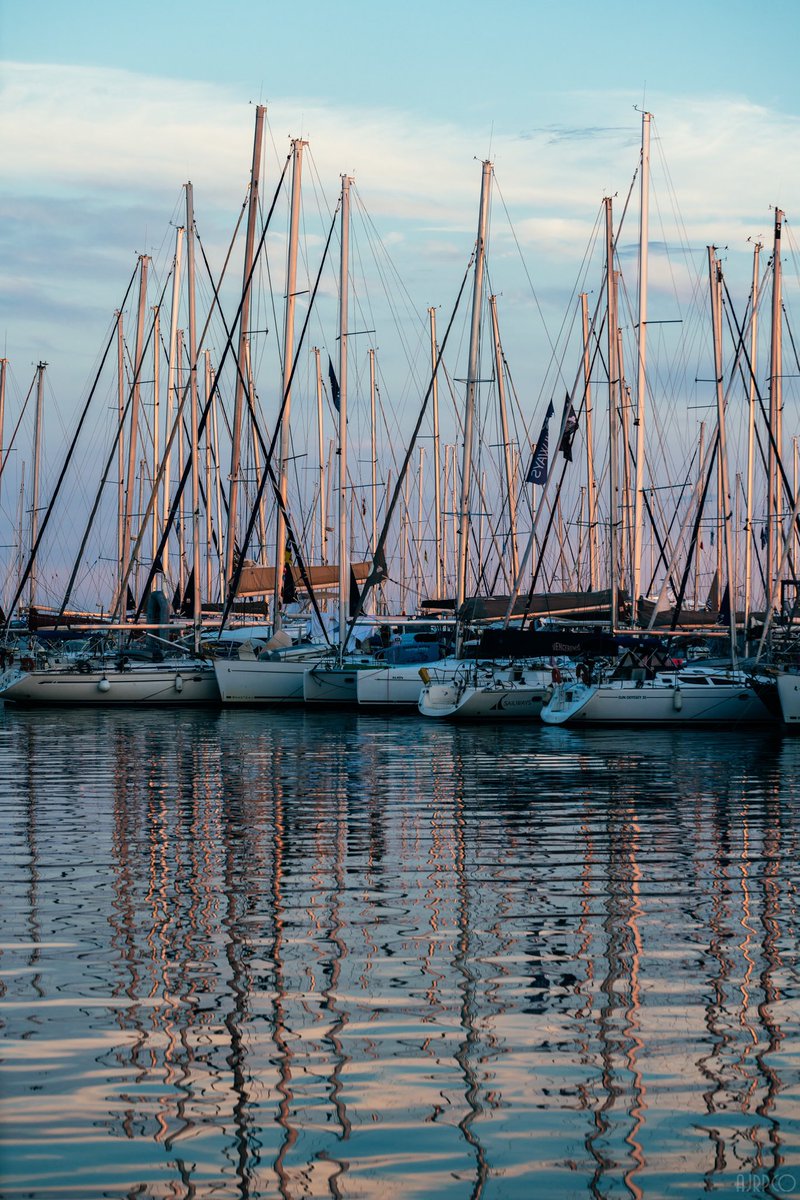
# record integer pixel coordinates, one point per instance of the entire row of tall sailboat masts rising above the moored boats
(612, 548)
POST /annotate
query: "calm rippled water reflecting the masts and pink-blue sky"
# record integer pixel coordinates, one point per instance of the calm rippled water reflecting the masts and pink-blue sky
(262, 955)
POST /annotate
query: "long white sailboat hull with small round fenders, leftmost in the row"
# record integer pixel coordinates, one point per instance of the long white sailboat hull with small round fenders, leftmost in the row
(159, 683)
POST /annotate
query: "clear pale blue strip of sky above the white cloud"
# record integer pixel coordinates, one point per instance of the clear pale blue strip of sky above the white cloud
(509, 63)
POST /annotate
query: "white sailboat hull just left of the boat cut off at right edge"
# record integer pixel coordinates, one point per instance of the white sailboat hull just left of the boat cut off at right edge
(661, 701)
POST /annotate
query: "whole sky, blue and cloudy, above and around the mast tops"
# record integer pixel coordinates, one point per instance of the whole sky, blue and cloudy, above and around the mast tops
(109, 110)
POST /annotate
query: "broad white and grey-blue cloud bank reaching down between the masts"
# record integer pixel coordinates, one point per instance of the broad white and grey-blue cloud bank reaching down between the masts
(95, 161)
